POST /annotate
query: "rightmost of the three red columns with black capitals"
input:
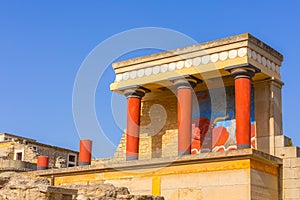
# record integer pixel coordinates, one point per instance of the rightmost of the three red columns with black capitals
(242, 81)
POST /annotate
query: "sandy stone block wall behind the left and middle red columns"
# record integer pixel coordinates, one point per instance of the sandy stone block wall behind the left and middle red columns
(158, 133)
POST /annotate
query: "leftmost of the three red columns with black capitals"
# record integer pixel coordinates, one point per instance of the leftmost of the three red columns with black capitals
(134, 96)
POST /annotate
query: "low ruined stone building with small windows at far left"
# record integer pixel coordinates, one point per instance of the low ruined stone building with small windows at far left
(20, 154)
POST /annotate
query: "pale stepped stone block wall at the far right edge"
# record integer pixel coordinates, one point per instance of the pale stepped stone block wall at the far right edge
(291, 166)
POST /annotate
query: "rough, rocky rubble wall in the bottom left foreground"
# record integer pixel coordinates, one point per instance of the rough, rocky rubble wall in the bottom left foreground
(20, 186)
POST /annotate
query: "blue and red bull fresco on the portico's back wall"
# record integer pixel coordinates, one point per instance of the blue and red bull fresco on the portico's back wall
(213, 124)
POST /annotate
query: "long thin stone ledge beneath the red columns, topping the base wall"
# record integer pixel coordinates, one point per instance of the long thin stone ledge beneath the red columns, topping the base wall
(109, 165)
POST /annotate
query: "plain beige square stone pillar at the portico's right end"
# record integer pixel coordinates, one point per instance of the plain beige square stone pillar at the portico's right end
(268, 113)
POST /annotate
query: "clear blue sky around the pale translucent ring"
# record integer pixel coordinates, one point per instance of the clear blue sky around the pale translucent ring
(42, 45)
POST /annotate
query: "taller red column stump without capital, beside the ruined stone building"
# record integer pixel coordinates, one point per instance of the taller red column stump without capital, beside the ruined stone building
(85, 152)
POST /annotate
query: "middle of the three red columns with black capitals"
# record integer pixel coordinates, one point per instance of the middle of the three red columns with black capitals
(184, 86)
